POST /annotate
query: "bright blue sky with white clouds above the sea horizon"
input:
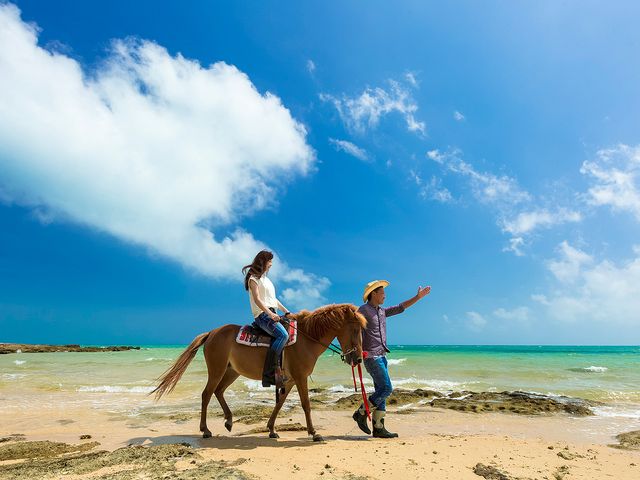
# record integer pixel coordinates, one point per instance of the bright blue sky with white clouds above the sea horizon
(148, 150)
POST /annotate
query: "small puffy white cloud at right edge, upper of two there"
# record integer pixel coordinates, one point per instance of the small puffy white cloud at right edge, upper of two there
(616, 179)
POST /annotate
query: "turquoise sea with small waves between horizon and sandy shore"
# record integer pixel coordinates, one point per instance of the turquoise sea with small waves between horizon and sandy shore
(606, 374)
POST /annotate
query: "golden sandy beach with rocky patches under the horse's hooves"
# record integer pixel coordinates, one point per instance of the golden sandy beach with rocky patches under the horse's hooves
(434, 443)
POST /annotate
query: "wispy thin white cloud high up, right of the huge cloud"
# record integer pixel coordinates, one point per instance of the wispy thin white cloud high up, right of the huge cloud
(365, 111)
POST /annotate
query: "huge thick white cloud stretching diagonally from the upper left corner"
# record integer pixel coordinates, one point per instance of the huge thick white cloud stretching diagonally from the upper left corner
(152, 148)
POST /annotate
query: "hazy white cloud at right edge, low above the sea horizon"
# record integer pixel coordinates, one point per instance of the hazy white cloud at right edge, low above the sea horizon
(594, 291)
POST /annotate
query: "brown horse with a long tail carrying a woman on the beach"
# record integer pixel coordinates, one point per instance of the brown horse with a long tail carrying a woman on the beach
(227, 360)
